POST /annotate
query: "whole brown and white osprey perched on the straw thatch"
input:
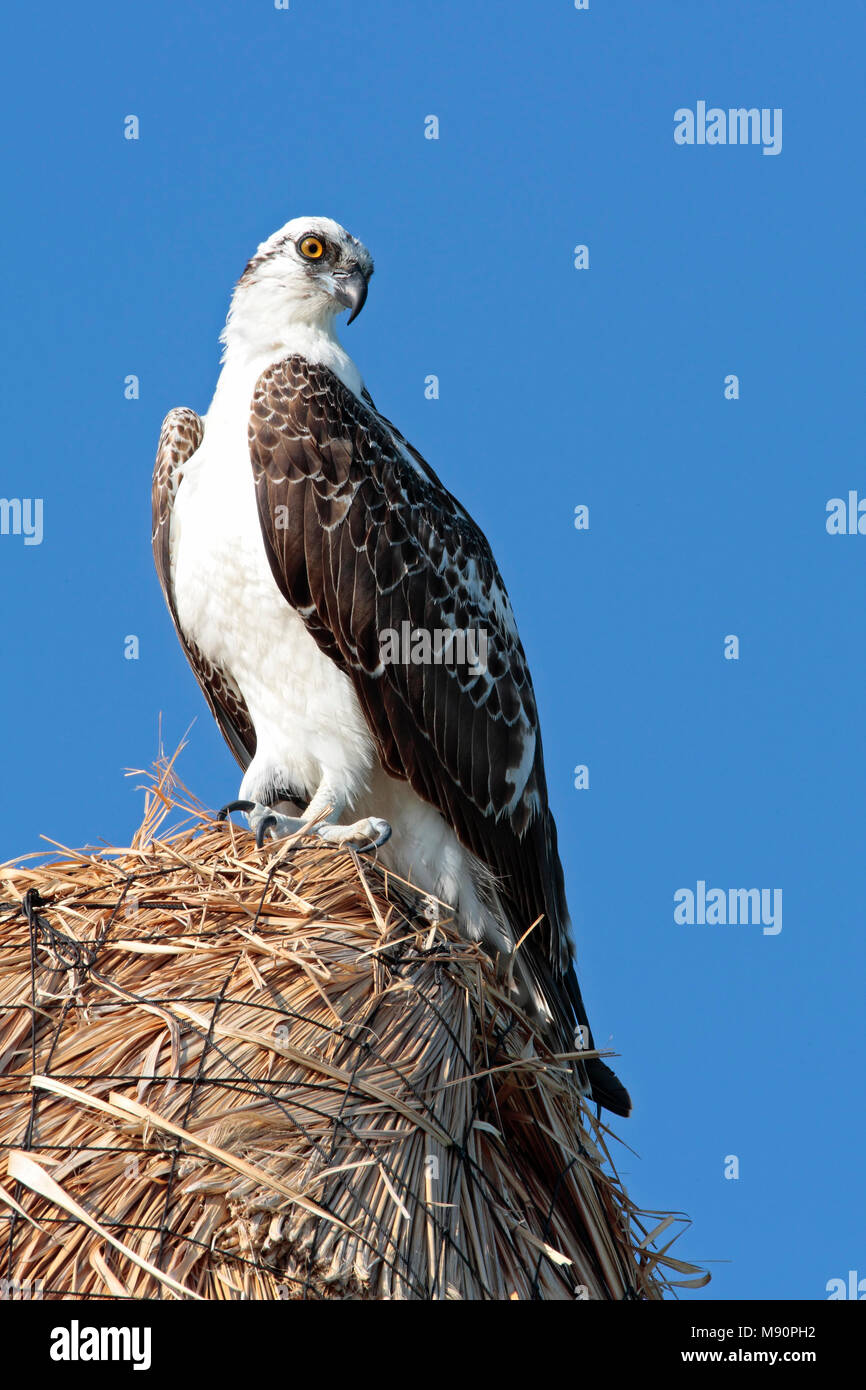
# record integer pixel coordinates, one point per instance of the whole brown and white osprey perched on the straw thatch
(294, 532)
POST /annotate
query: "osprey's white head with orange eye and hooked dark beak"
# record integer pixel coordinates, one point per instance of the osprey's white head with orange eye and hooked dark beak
(297, 284)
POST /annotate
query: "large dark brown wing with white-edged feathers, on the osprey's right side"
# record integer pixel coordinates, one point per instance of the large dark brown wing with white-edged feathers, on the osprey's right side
(363, 537)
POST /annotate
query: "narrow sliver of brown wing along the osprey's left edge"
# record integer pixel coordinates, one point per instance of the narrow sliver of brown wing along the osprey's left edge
(180, 437)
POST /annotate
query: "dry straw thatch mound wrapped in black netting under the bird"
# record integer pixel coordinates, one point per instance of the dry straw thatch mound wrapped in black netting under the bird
(238, 1074)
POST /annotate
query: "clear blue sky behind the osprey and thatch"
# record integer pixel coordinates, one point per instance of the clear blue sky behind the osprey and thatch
(603, 387)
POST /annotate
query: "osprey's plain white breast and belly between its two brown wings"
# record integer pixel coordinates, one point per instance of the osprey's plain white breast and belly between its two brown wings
(308, 721)
